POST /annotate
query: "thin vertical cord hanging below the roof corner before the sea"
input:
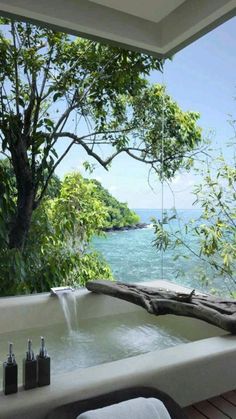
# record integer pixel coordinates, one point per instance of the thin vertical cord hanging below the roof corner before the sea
(162, 169)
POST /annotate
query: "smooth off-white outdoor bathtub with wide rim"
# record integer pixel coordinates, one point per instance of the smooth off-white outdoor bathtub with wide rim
(188, 372)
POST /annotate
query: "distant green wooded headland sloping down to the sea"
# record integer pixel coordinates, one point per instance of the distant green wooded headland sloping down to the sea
(118, 214)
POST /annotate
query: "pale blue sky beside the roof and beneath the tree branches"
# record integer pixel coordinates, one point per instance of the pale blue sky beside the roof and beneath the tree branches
(200, 78)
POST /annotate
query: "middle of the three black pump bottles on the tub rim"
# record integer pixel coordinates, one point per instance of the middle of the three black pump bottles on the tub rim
(29, 369)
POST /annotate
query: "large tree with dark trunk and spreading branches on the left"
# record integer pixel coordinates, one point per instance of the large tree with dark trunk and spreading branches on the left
(54, 88)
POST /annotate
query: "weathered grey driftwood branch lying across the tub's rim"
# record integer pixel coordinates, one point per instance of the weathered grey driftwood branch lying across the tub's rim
(216, 311)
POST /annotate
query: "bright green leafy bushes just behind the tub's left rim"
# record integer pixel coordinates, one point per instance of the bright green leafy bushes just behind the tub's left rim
(57, 249)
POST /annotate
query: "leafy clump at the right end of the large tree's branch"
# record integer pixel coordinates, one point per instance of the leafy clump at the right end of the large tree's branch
(166, 136)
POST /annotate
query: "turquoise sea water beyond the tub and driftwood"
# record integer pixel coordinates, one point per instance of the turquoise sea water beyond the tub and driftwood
(133, 257)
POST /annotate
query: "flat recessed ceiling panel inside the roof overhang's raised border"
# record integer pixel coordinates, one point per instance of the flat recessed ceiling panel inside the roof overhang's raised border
(153, 10)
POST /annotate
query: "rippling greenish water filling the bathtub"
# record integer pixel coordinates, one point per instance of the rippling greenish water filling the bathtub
(95, 341)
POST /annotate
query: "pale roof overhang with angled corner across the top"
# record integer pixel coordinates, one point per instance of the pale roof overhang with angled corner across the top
(157, 27)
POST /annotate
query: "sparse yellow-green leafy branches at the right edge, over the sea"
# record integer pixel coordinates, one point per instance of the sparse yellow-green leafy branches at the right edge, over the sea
(213, 248)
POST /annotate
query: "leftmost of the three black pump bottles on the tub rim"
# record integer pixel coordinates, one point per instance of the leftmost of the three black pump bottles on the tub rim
(10, 371)
